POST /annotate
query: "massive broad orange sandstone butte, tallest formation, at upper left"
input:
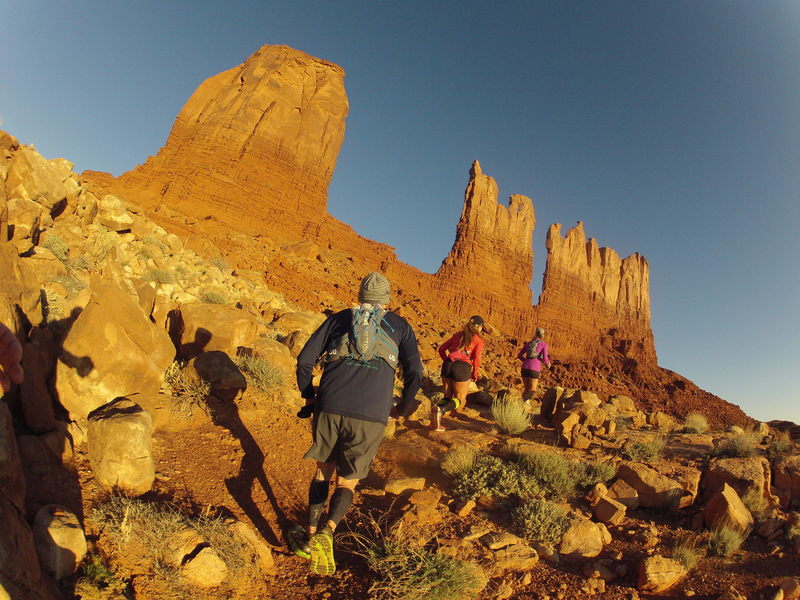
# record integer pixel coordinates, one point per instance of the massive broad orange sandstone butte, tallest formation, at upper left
(259, 140)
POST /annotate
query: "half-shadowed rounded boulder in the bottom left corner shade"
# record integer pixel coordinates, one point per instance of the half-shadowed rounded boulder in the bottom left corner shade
(60, 541)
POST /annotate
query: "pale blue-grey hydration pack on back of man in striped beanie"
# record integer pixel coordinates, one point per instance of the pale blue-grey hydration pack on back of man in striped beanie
(367, 338)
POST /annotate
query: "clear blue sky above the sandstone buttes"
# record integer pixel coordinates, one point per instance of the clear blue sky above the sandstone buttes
(671, 129)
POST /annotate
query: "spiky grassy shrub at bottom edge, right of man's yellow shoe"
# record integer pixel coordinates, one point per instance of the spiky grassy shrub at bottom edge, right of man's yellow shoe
(407, 571)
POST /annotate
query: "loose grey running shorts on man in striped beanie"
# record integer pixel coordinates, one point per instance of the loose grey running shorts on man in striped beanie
(351, 443)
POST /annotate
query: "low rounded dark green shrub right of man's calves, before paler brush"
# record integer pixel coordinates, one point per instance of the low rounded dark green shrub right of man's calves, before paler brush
(496, 477)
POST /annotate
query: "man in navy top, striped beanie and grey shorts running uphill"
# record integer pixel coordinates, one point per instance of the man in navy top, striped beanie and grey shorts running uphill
(360, 350)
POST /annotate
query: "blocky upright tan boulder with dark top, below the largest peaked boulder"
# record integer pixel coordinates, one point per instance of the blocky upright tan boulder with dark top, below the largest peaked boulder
(120, 447)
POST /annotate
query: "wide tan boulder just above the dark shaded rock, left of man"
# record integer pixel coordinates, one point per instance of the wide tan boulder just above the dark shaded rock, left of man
(198, 327)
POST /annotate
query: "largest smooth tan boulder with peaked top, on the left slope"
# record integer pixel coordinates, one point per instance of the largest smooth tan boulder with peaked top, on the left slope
(112, 350)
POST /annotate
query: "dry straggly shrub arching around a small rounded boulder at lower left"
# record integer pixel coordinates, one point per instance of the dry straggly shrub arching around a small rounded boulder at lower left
(155, 527)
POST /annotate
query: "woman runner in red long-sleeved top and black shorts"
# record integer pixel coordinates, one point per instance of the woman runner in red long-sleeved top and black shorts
(462, 357)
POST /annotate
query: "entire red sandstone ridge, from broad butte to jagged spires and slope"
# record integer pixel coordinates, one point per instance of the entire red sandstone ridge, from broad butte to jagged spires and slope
(254, 150)
